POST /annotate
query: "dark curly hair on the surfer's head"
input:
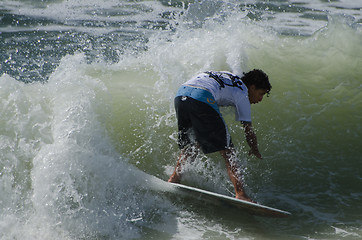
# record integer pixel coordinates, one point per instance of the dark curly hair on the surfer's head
(258, 78)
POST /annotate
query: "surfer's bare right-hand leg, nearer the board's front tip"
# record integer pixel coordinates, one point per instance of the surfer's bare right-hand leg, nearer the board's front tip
(234, 173)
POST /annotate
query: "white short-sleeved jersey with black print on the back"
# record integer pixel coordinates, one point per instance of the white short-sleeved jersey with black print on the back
(226, 92)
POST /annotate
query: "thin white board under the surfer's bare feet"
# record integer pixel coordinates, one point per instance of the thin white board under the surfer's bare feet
(219, 199)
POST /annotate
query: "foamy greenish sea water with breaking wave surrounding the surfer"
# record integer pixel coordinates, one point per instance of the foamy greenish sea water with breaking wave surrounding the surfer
(88, 129)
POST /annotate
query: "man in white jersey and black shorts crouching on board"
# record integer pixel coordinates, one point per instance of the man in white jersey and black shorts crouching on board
(201, 125)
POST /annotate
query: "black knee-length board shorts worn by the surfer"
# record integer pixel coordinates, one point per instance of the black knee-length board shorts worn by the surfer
(208, 125)
